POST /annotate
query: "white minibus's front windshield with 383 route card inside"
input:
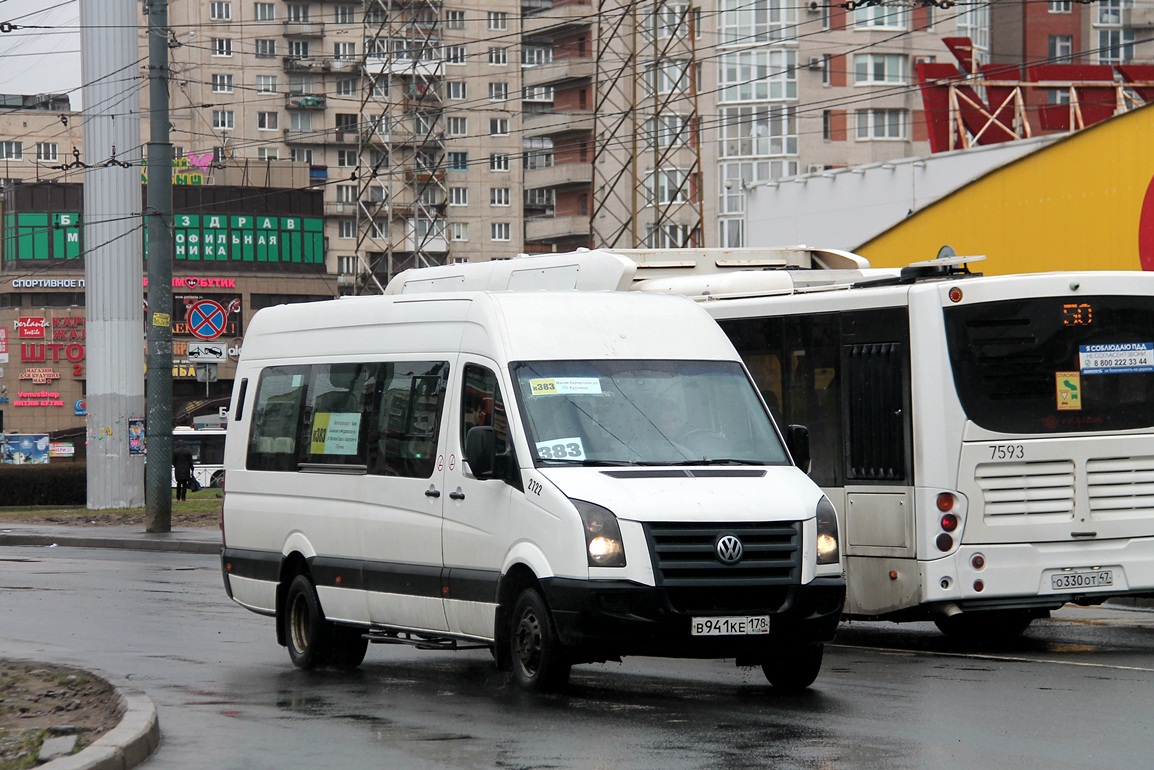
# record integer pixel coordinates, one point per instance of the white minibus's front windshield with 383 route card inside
(625, 413)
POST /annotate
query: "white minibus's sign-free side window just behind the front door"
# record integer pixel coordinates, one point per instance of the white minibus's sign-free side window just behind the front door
(410, 402)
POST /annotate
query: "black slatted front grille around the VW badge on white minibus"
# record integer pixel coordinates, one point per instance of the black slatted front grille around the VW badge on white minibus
(686, 558)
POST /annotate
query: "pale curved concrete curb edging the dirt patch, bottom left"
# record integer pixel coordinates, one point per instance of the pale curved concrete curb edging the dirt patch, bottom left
(125, 746)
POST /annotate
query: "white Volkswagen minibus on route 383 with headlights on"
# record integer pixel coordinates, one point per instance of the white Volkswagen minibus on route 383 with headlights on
(564, 477)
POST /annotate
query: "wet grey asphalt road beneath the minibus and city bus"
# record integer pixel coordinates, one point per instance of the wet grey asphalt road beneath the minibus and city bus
(1076, 692)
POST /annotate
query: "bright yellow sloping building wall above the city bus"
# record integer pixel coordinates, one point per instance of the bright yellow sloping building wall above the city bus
(1082, 204)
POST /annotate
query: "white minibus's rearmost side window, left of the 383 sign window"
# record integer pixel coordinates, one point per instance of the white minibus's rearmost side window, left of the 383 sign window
(274, 442)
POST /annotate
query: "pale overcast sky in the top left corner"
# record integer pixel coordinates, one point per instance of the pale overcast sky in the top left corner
(42, 61)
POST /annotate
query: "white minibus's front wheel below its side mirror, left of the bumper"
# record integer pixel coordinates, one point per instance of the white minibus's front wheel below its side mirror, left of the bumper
(538, 657)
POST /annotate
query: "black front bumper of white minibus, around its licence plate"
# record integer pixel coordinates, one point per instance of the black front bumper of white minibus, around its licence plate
(606, 619)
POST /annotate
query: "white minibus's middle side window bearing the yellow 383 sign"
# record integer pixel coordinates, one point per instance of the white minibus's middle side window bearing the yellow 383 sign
(338, 409)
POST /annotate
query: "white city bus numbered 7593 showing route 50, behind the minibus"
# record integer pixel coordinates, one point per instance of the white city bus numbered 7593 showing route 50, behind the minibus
(987, 442)
